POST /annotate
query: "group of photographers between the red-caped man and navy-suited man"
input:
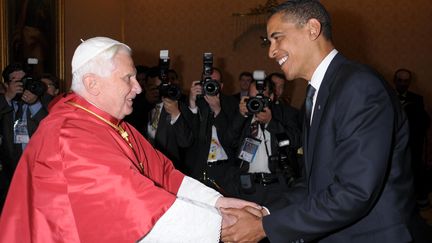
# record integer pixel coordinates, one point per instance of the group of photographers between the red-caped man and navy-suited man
(244, 145)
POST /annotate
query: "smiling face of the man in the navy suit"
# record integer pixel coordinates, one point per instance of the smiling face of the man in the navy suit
(292, 46)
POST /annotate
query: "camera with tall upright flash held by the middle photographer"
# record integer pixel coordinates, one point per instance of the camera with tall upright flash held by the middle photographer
(210, 86)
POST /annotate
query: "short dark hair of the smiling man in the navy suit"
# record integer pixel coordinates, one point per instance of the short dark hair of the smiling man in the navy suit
(303, 10)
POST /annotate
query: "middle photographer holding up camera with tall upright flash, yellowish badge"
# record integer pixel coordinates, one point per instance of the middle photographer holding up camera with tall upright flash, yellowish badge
(210, 158)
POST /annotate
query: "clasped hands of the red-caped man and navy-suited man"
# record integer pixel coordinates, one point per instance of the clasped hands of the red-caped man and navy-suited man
(241, 220)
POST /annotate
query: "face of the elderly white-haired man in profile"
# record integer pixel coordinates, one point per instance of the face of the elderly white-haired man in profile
(118, 90)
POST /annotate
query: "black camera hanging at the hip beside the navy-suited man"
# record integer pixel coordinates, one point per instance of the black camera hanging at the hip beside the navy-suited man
(285, 160)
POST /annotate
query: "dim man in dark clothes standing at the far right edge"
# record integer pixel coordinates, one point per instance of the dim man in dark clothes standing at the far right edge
(419, 121)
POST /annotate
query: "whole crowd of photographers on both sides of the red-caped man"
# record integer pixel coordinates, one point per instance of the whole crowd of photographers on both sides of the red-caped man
(243, 145)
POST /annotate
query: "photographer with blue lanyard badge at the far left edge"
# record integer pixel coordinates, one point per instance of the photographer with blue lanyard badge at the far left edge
(20, 114)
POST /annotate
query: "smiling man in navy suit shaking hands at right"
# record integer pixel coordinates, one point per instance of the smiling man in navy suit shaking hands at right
(358, 185)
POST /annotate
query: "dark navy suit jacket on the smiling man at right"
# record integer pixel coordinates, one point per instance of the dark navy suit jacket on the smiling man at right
(358, 184)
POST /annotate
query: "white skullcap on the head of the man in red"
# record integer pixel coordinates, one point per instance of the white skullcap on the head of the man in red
(90, 48)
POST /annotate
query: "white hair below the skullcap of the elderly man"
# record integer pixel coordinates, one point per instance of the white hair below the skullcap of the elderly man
(101, 65)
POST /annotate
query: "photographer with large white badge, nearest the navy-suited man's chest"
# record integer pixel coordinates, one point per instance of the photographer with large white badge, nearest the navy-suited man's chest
(266, 168)
